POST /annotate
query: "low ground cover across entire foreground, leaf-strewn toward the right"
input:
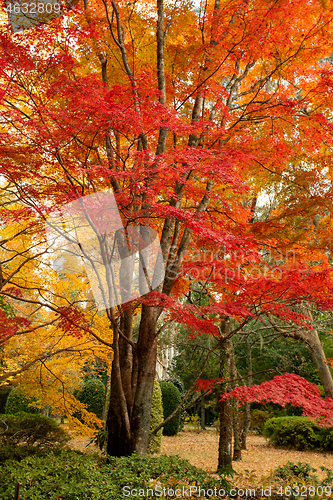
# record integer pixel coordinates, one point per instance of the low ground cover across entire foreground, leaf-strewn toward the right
(73, 475)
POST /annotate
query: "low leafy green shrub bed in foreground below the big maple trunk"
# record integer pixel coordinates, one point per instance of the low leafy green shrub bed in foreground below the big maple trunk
(70, 475)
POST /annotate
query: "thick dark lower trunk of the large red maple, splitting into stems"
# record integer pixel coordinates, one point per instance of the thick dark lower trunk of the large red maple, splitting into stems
(128, 427)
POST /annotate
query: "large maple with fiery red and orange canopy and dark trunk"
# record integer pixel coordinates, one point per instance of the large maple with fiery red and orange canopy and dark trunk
(187, 115)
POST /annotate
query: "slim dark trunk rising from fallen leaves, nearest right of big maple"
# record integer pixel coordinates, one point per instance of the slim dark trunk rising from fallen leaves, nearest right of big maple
(225, 440)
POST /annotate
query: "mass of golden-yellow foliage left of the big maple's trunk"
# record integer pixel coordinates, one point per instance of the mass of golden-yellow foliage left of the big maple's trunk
(46, 361)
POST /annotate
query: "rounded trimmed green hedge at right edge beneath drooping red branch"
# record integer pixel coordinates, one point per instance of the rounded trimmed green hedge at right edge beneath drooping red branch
(299, 433)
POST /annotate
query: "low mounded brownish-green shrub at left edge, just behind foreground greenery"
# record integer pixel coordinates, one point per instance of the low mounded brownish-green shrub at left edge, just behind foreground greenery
(31, 430)
